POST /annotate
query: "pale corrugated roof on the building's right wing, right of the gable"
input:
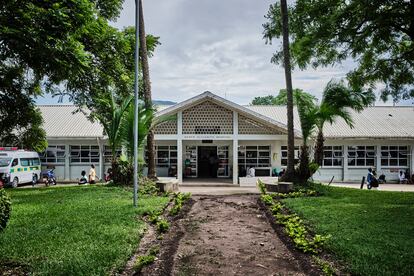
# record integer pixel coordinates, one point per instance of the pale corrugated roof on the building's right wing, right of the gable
(372, 122)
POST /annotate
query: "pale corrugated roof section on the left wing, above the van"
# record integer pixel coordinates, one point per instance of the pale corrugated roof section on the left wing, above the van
(60, 121)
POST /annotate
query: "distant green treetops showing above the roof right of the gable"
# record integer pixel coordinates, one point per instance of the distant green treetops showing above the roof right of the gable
(281, 98)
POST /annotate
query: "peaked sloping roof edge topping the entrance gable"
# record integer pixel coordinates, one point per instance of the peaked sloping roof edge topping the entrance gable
(208, 96)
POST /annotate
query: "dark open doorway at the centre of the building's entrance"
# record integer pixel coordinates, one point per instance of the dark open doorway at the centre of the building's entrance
(207, 162)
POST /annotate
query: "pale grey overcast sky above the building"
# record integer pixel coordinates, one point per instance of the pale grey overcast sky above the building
(217, 45)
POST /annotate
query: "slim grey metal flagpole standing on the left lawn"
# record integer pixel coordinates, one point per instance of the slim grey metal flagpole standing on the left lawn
(136, 88)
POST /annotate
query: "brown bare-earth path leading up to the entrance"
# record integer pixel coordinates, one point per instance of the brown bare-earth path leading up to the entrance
(231, 236)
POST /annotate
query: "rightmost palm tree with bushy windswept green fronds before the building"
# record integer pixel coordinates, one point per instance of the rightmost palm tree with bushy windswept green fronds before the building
(337, 101)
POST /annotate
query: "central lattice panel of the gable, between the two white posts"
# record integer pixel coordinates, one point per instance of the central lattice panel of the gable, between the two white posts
(207, 118)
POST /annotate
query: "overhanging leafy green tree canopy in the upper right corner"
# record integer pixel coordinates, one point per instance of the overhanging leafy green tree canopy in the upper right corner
(377, 35)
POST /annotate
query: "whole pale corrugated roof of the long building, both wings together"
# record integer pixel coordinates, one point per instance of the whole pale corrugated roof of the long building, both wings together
(372, 122)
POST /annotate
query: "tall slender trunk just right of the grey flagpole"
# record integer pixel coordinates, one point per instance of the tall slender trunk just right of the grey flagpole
(147, 90)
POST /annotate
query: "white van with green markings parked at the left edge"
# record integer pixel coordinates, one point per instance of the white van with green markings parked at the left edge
(19, 166)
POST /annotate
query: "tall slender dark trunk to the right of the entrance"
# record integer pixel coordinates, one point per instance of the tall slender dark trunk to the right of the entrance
(290, 170)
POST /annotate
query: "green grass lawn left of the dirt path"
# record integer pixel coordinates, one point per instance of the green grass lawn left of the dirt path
(87, 230)
